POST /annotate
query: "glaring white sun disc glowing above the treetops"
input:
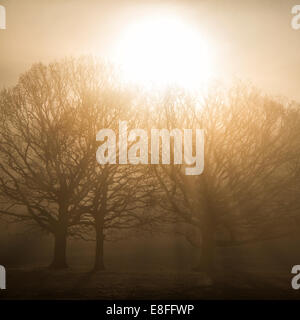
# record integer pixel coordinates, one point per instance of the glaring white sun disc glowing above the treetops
(163, 51)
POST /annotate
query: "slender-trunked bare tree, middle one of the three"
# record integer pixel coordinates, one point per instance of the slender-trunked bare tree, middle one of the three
(120, 201)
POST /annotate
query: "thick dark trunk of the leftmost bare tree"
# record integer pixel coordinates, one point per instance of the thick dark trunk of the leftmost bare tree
(60, 246)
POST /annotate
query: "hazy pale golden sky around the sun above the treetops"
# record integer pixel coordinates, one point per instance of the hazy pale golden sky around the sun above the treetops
(252, 40)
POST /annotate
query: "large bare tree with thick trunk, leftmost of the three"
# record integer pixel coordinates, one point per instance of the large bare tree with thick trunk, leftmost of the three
(47, 154)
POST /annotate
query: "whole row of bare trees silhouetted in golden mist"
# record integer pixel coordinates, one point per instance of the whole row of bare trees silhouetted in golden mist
(49, 176)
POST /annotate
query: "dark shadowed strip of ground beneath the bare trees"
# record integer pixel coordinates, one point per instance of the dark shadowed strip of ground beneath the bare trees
(43, 283)
